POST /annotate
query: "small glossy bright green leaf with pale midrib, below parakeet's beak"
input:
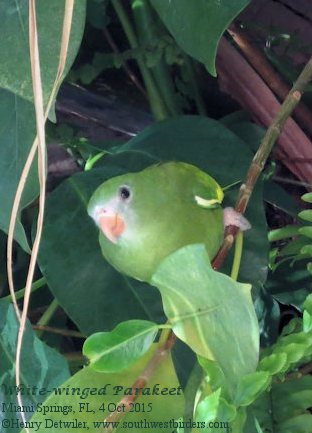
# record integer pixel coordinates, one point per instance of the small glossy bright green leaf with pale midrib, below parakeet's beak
(119, 349)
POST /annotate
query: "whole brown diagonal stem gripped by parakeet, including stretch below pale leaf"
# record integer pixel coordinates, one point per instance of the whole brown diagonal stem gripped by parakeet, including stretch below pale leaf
(245, 192)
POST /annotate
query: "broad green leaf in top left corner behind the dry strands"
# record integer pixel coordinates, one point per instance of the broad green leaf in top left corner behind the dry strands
(14, 48)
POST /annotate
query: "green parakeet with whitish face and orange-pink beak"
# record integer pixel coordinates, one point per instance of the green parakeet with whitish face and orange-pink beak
(143, 217)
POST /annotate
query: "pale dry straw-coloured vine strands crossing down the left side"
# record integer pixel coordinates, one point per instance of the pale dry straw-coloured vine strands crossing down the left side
(39, 144)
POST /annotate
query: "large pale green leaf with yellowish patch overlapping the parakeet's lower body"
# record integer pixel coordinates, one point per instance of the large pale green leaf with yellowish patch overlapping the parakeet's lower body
(219, 323)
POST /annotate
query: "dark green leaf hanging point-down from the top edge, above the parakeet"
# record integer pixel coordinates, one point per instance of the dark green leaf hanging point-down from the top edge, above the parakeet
(197, 28)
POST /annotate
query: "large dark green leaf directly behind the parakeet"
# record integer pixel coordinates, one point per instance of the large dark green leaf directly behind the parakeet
(70, 256)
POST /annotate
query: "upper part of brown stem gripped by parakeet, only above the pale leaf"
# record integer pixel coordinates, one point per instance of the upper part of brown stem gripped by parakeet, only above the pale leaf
(261, 157)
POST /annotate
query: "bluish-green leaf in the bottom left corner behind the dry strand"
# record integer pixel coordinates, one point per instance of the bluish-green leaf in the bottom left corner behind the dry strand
(42, 368)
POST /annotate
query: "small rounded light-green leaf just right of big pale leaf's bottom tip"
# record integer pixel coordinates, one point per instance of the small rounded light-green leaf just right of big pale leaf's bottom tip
(250, 387)
